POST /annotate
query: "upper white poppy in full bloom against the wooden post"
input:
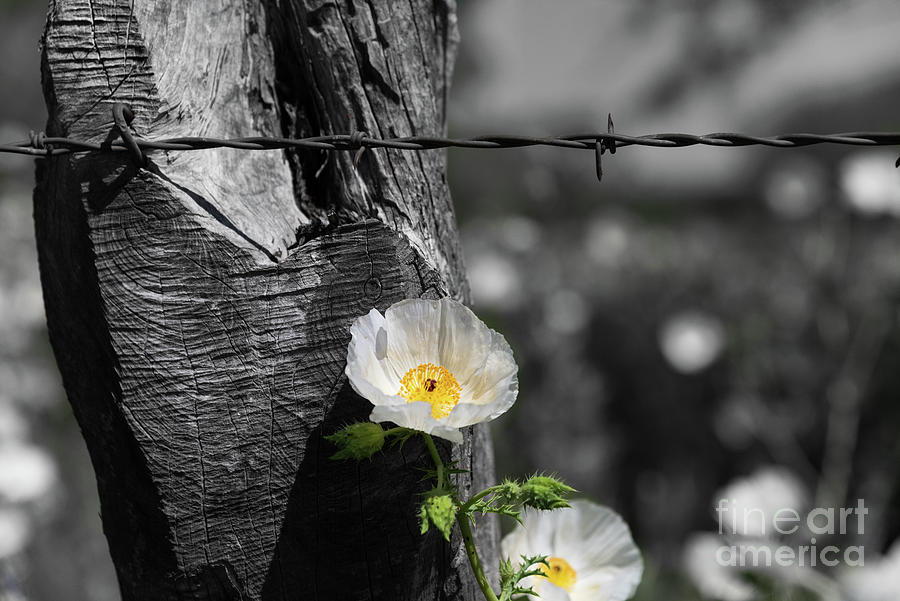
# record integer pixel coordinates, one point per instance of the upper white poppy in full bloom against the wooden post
(431, 366)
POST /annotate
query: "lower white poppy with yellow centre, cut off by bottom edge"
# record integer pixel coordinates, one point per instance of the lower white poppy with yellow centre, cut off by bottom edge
(591, 553)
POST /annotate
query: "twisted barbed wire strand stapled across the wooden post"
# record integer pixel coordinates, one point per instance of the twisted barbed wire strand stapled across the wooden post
(41, 146)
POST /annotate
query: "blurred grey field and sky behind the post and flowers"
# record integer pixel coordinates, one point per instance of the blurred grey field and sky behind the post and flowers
(704, 323)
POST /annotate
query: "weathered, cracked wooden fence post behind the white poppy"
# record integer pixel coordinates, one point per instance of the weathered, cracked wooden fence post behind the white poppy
(199, 307)
